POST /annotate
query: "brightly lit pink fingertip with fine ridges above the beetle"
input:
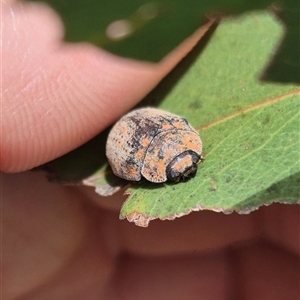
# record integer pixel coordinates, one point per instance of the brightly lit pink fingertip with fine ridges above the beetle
(58, 95)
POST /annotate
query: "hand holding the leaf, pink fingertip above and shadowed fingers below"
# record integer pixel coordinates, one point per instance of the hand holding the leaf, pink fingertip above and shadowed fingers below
(66, 243)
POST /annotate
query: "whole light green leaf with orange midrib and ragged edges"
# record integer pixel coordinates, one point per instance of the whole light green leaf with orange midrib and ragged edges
(250, 130)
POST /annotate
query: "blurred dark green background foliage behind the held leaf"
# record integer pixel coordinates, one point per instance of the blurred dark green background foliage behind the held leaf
(148, 30)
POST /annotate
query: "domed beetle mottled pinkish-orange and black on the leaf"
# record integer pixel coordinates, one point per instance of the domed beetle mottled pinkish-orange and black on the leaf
(153, 144)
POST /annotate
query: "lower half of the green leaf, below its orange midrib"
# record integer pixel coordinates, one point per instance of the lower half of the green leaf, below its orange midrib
(251, 159)
